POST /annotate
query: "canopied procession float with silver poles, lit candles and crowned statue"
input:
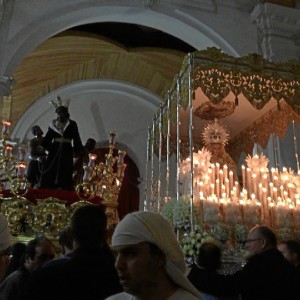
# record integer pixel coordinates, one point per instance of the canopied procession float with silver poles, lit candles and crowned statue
(214, 166)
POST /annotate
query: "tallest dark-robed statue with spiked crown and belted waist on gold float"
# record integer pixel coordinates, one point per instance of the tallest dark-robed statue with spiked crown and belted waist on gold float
(61, 141)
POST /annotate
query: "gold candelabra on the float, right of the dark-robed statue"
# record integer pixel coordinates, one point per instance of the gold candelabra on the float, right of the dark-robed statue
(104, 180)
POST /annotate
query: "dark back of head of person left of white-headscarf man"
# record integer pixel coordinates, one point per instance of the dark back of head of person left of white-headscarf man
(88, 225)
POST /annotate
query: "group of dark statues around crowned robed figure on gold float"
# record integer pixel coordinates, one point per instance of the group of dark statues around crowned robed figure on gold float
(56, 160)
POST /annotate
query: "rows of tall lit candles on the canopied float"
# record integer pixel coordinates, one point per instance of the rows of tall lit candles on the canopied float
(269, 197)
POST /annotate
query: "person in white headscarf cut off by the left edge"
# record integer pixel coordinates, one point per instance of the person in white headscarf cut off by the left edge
(5, 246)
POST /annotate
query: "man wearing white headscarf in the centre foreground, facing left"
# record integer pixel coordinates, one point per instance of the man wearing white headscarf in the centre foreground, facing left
(150, 262)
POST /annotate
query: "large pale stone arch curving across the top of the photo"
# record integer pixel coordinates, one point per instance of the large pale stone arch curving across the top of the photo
(182, 26)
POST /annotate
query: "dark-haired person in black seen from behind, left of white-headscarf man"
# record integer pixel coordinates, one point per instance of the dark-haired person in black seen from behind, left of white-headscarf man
(89, 273)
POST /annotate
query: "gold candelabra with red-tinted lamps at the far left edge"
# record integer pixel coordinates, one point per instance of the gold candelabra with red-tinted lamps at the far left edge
(13, 170)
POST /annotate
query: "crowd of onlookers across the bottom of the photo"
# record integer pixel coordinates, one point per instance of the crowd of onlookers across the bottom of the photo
(143, 262)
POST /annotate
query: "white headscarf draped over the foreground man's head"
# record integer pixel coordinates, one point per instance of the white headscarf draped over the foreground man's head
(144, 226)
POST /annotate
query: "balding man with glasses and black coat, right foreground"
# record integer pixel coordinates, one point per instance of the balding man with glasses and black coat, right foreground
(266, 275)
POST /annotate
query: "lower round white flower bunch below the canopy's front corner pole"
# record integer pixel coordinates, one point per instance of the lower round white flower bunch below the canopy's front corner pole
(191, 242)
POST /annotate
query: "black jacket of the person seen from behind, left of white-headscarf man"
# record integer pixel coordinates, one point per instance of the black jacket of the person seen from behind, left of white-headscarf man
(89, 274)
